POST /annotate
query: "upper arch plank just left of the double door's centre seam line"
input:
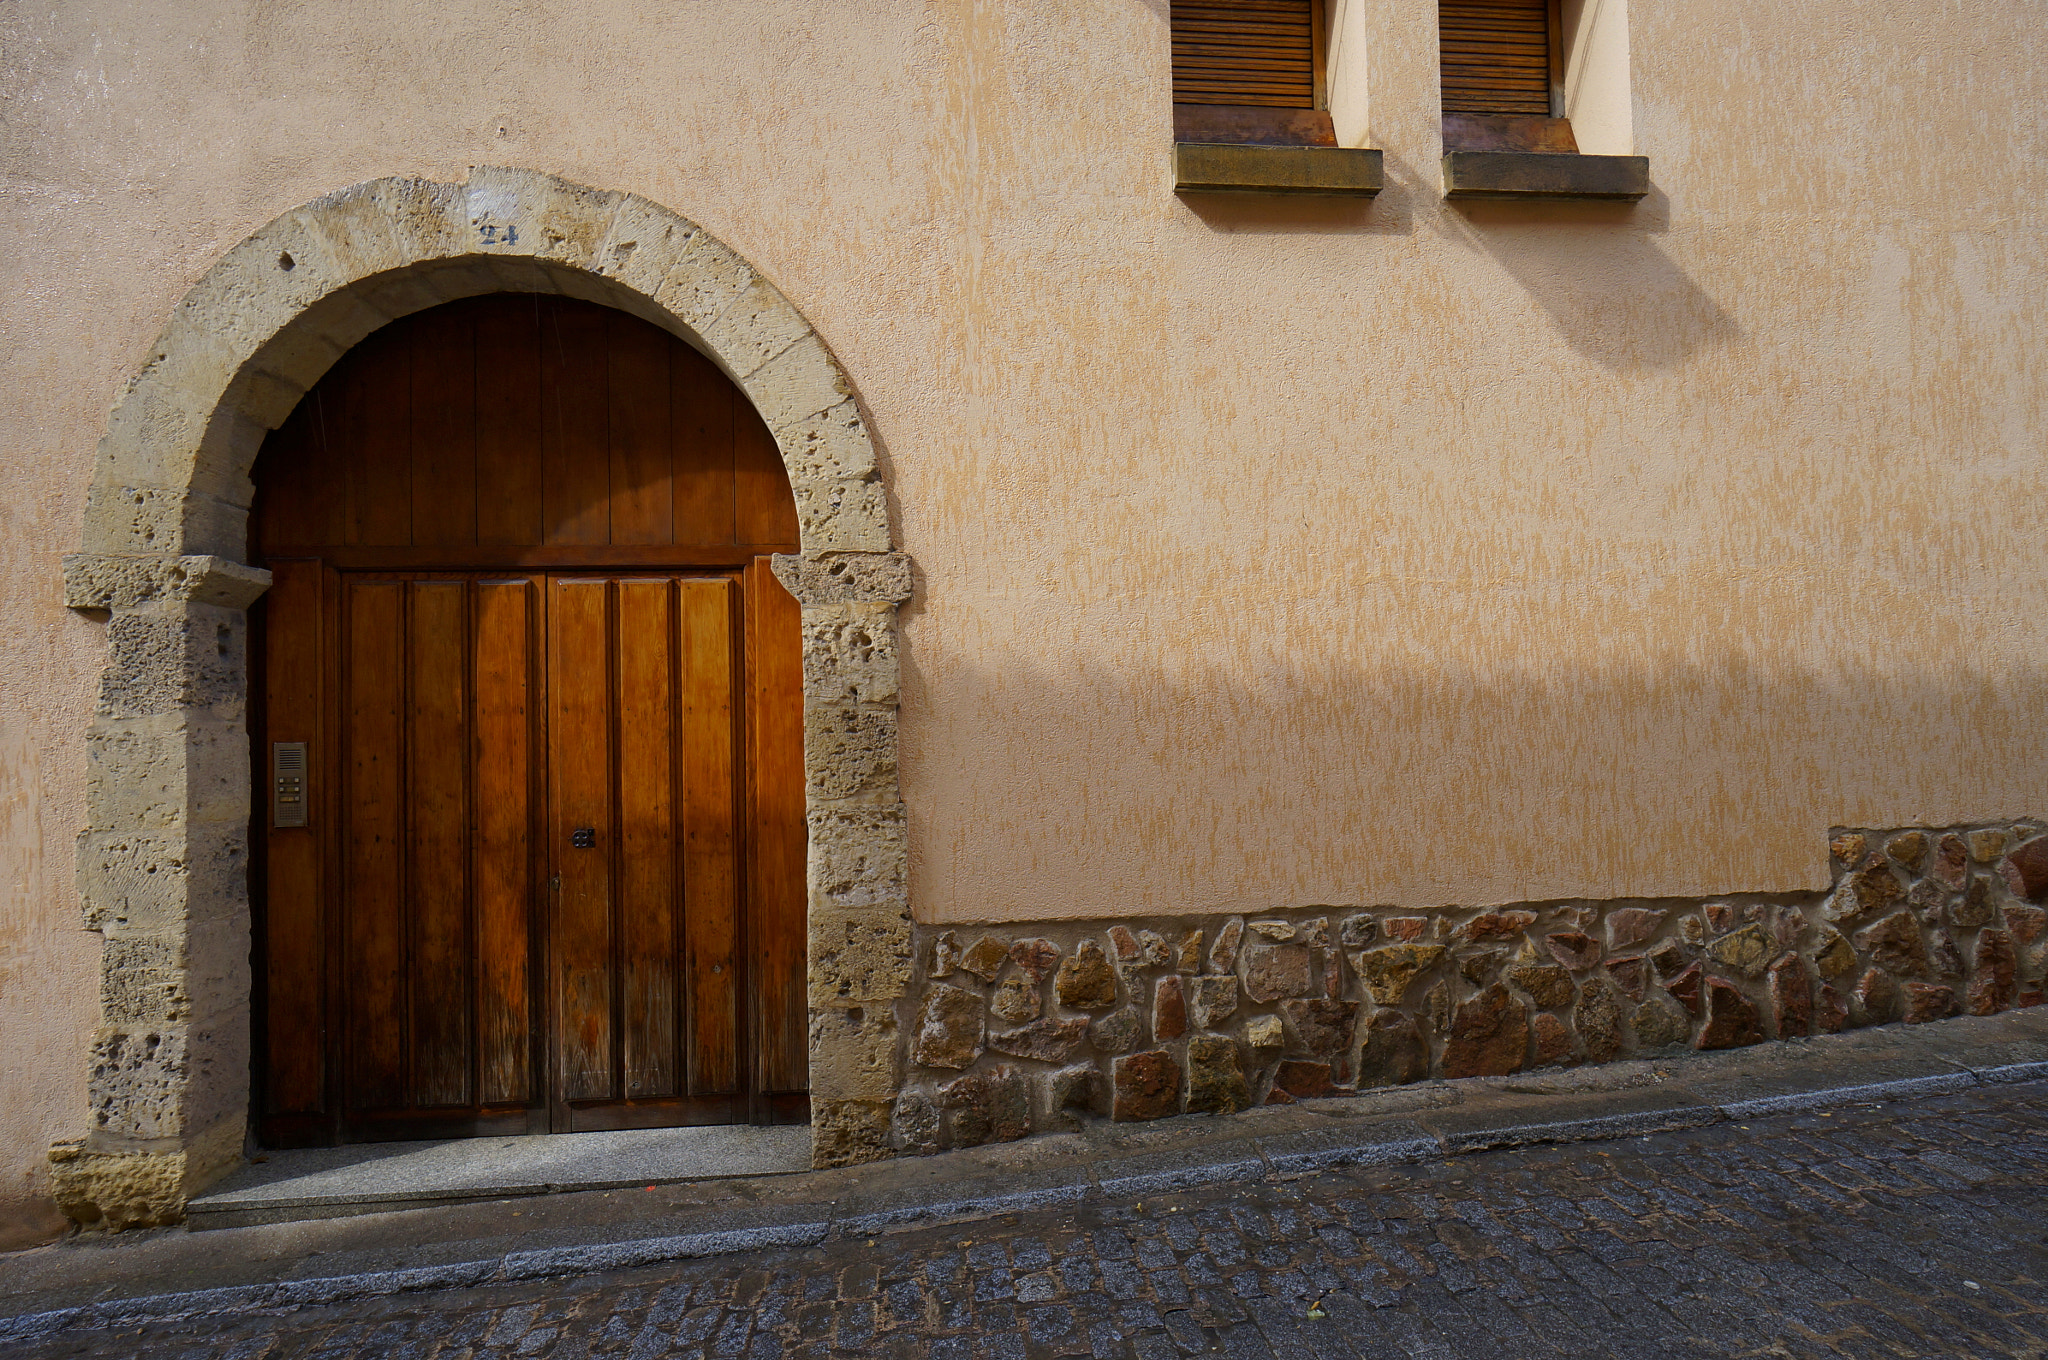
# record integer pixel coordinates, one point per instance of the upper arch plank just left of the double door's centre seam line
(511, 501)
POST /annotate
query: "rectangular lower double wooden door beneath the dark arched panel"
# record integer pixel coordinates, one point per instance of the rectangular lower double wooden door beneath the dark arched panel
(531, 824)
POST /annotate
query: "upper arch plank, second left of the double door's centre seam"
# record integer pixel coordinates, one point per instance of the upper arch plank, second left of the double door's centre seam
(443, 427)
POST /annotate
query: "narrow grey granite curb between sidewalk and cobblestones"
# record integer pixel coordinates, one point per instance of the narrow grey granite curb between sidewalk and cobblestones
(1285, 1154)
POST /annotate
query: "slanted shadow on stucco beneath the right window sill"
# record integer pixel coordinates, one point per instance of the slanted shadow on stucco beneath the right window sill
(1611, 292)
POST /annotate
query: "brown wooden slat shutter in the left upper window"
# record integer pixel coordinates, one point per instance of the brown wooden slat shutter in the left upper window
(1244, 52)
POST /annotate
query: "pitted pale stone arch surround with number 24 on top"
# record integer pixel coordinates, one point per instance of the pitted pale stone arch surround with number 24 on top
(163, 863)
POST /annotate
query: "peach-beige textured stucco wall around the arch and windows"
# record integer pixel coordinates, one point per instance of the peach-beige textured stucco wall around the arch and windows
(1271, 554)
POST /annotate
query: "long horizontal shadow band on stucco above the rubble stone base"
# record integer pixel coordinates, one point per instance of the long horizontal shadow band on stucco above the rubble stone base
(1121, 785)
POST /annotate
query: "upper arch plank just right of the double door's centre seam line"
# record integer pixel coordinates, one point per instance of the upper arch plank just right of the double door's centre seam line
(574, 425)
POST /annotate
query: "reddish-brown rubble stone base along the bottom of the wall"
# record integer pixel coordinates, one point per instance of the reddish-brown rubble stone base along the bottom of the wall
(1019, 1031)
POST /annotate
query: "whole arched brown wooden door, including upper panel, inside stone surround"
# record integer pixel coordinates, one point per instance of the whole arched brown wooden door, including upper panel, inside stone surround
(529, 738)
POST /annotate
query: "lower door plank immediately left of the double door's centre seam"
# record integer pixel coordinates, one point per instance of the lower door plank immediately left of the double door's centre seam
(505, 755)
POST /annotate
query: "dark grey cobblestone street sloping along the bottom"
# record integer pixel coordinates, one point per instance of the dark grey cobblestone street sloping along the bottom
(1914, 1230)
